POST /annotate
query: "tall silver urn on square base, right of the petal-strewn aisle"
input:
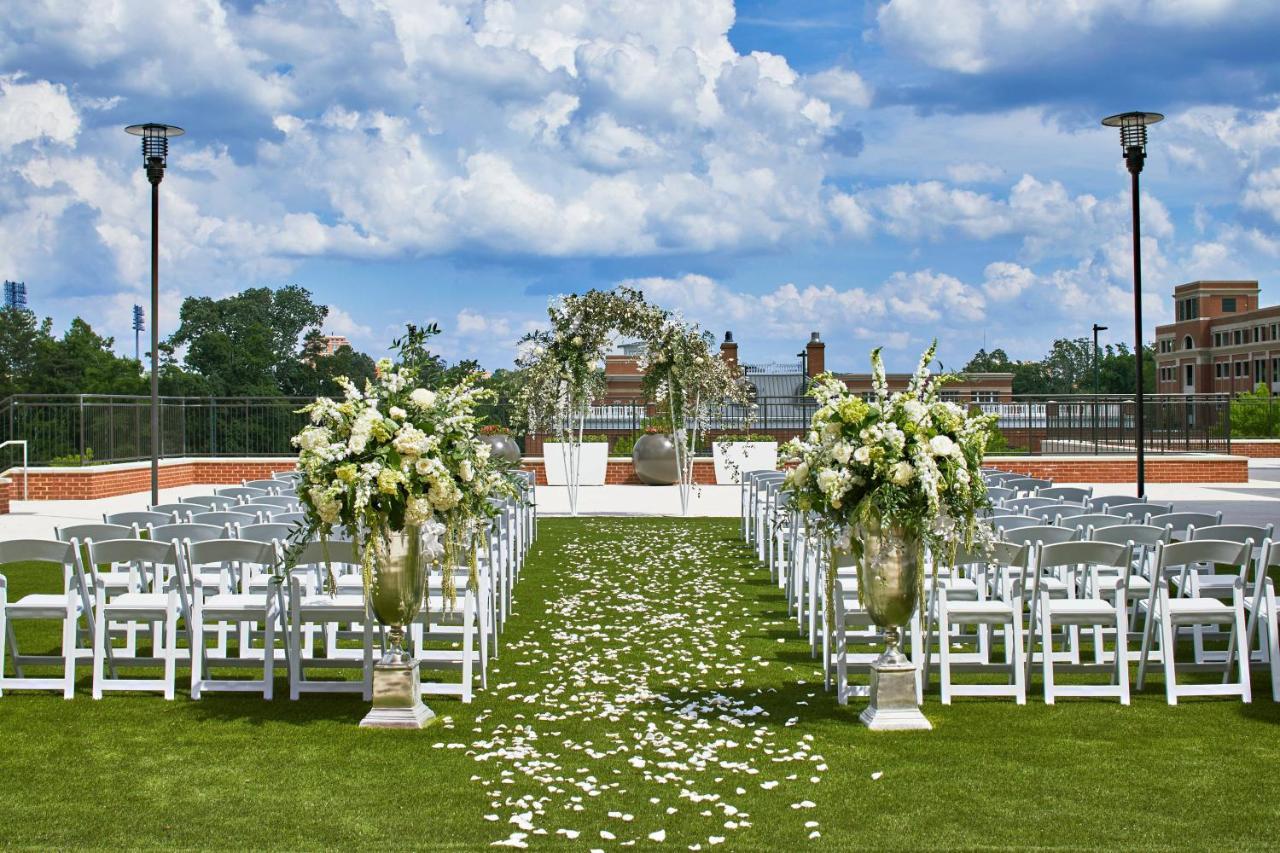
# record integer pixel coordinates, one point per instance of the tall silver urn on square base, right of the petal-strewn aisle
(890, 562)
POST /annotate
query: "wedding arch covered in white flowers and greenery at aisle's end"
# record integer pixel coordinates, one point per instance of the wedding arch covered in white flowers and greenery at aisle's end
(563, 375)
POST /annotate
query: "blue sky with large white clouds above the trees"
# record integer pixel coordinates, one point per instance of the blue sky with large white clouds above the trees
(881, 172)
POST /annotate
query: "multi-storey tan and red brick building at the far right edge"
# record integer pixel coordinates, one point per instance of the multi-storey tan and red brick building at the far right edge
(1220, 341)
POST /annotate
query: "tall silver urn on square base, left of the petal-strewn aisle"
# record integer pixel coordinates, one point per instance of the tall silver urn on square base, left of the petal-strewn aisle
(396, 592)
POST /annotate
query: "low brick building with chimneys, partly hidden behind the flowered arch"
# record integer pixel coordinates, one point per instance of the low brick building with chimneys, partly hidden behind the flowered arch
(624, 377)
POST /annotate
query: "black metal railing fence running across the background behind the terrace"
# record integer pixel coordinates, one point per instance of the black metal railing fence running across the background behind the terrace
(77, 430)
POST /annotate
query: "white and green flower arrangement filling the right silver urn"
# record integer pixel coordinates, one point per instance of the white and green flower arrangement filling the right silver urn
(908, 459)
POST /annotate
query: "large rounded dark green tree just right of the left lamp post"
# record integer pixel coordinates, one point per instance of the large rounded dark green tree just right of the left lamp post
(248, 344)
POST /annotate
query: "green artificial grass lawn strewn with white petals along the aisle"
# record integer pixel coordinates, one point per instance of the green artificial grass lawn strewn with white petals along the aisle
(650, 667)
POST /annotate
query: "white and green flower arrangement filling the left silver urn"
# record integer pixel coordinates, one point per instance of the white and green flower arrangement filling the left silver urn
(392, 457)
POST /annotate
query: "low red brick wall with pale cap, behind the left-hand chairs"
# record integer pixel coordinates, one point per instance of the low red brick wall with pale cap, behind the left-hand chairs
(108, 481)
